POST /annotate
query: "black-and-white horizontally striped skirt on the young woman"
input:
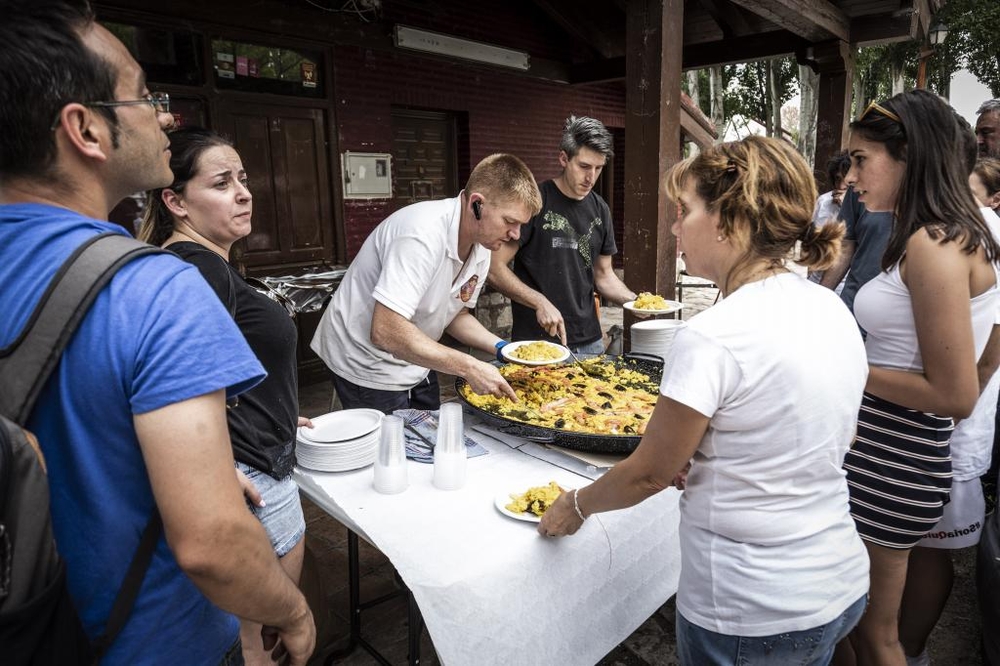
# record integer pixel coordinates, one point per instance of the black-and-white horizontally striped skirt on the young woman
(898, 472)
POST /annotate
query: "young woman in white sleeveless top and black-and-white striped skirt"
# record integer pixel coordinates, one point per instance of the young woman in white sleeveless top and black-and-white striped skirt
(928, 315)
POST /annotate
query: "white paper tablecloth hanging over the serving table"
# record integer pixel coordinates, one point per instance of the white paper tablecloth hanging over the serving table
(491, 590)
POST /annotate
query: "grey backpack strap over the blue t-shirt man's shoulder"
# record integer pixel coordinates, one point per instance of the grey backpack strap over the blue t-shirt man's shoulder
(25, 366)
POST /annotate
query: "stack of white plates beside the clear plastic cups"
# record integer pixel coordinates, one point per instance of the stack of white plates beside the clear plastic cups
(339, 441)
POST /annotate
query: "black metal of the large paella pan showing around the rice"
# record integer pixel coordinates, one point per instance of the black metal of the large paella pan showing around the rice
(651, 365)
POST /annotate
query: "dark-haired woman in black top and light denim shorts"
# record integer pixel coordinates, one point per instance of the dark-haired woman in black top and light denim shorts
(204, 211)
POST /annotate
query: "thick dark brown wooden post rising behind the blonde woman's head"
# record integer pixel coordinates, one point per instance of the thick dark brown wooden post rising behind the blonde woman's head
(654, 41)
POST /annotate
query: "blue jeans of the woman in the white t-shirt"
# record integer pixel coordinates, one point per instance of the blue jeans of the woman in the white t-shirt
(809, 647)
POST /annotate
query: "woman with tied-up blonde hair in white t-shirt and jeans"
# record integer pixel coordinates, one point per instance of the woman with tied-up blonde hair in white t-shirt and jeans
(760, 392)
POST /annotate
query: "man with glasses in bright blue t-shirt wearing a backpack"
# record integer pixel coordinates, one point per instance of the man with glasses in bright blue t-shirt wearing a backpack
(133, 419)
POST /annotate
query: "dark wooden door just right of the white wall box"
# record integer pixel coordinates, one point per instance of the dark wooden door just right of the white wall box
(424, 160)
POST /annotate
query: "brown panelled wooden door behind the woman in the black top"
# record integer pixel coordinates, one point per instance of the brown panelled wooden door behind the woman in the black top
(284, 151)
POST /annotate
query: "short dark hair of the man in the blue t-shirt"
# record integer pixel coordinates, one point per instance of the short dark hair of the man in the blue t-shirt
(44, 66)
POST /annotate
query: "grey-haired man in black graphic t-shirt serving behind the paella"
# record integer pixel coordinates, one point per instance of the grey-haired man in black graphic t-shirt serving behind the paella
(564, 253)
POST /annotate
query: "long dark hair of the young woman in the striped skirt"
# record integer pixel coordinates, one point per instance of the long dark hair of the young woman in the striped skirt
(920, 129)
